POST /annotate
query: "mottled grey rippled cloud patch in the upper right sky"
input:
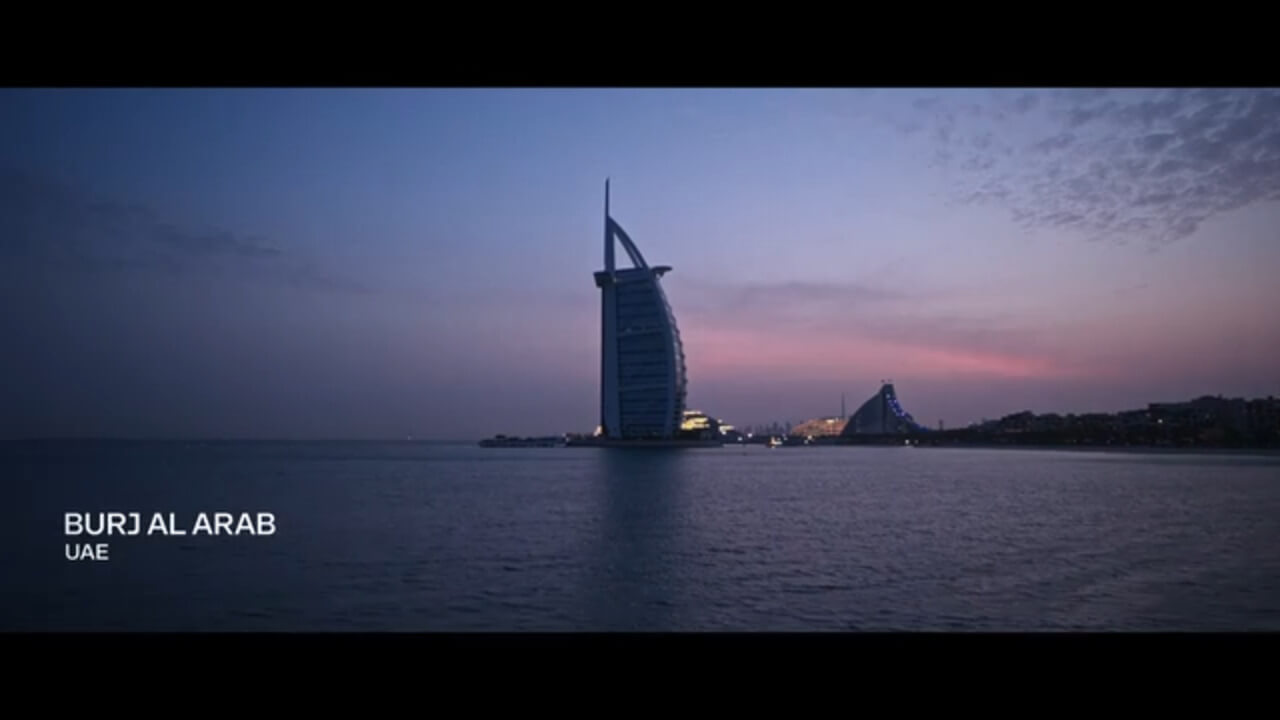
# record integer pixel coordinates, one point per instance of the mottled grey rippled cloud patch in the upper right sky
(1113, 165)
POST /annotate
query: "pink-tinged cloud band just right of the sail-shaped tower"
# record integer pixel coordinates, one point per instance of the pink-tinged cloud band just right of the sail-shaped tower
(835, 329)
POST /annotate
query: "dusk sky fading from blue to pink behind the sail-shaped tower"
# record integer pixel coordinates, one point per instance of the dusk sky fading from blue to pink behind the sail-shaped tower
(391, 263)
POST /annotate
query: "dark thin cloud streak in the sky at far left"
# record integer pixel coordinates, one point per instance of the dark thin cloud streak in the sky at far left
(45, 224)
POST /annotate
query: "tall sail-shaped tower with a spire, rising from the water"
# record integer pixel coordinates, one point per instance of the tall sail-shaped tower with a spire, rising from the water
(643, 385)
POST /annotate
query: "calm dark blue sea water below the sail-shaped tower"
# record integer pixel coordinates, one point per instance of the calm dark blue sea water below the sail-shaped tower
(437, 537)
